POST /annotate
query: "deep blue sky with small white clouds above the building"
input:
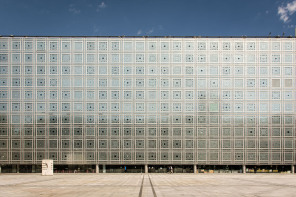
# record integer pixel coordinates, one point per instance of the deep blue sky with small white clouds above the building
(147, 17)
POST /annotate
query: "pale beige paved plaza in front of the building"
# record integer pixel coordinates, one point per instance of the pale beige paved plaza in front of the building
(148, 185)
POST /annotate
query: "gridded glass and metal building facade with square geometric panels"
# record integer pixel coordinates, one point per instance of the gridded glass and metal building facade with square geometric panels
(147, 100)
